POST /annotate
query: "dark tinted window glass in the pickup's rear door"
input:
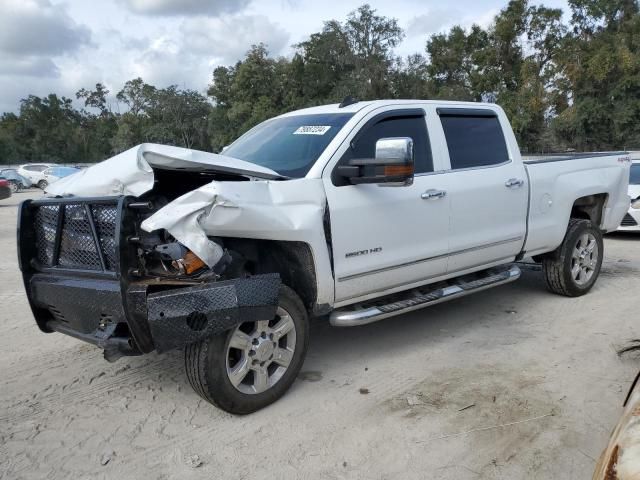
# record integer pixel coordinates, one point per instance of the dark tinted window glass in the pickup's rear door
(474, 141)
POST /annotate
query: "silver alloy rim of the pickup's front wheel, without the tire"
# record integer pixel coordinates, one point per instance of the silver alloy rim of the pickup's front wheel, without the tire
(259, 353)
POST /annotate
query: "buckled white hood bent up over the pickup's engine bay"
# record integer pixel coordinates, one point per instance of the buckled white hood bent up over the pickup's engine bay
(131, 172)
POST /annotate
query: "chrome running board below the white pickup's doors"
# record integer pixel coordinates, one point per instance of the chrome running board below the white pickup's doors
(352, 318)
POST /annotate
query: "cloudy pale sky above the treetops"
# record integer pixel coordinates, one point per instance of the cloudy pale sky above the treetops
(61, 46)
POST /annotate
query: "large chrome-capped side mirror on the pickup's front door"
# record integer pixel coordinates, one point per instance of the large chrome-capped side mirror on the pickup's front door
(392, 165)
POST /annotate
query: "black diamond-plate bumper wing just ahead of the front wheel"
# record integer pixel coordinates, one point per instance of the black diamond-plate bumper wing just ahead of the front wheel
(187, 315)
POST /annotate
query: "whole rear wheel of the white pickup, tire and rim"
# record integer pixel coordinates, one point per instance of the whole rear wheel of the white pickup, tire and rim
(573, 268)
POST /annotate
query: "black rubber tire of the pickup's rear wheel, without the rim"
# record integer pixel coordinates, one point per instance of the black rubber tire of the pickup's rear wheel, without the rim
(557, 266)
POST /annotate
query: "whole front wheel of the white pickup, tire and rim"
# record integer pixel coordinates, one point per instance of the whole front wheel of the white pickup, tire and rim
(253, 365)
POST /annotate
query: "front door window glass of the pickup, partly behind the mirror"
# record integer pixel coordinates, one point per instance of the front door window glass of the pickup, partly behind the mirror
(402, 126)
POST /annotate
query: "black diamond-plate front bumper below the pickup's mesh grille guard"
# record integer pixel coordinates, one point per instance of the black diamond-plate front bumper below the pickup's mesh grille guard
(176, 317)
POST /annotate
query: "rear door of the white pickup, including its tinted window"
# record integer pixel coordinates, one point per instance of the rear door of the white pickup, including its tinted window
(488, 189)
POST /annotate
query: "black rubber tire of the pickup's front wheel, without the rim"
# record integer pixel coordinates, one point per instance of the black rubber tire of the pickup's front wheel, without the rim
(206, 364)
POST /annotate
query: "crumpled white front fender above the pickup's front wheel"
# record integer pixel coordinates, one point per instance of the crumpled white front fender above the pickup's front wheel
(291, 210)
